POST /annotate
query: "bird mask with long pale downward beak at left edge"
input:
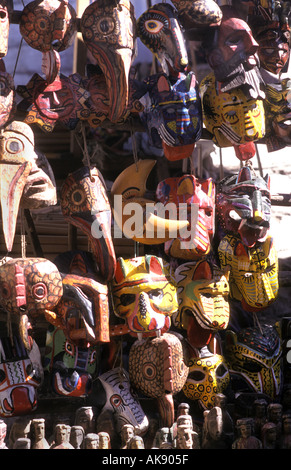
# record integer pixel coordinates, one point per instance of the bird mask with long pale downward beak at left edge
(17, 158)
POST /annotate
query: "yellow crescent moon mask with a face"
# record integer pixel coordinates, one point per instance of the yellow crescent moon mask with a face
(147, 225)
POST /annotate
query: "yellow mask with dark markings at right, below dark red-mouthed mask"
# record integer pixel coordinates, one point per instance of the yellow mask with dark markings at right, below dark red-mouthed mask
(253, 271)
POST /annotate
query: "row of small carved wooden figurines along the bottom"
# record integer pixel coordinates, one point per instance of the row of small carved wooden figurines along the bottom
(268, 428)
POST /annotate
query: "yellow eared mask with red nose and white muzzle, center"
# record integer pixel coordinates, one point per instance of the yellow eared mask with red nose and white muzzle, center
(144, 294)
